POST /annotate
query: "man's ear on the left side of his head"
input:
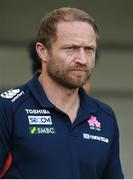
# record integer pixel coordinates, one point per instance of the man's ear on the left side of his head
(41, 51)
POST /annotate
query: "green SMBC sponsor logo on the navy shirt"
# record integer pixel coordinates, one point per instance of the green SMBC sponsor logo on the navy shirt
(41, 130)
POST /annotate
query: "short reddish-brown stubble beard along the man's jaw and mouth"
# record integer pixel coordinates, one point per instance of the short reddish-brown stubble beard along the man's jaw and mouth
(63, 76)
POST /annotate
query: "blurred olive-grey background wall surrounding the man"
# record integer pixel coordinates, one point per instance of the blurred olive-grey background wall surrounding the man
(112, 79)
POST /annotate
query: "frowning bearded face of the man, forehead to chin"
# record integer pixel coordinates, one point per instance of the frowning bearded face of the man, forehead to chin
(72, 56)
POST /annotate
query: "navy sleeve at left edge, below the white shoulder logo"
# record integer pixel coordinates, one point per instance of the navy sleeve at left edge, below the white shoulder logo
(5, 131)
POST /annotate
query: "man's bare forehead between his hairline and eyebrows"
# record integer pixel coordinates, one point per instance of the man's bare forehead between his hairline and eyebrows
(75, 32)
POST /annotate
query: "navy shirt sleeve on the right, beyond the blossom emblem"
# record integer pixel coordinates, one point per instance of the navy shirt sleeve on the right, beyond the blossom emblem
(113, 168)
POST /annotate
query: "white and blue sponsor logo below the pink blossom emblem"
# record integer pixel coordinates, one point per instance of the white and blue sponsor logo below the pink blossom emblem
(94, 137)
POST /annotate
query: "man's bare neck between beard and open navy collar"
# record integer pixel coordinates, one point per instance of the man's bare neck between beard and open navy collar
(67, 100)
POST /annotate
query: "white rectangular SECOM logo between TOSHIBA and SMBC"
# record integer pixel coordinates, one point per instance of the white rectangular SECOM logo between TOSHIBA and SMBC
(44, 120)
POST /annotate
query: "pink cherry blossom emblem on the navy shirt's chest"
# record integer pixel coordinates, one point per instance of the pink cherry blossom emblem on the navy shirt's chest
(94, 124)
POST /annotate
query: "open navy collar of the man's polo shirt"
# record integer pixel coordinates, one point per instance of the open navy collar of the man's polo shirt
(87, 104)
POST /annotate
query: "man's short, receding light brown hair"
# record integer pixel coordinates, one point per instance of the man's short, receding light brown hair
(48, 26)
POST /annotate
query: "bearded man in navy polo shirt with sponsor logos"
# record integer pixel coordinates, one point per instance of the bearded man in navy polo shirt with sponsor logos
(51, 127)
